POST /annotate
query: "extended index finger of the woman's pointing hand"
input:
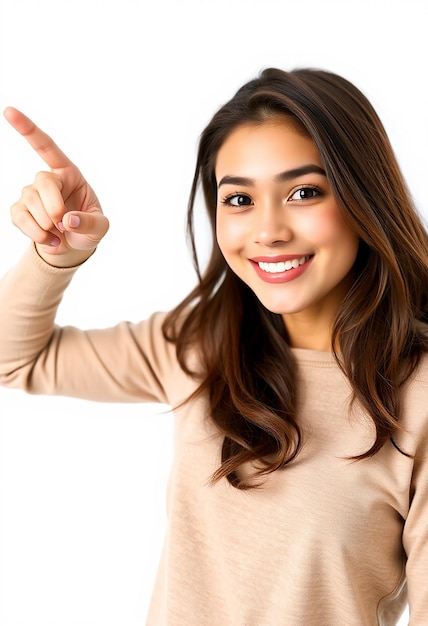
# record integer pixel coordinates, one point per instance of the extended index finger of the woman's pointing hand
(44, 145)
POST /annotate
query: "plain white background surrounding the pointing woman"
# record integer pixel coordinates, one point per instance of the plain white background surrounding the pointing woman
(125, 87)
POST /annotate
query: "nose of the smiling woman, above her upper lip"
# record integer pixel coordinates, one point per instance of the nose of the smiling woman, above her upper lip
(271, 227)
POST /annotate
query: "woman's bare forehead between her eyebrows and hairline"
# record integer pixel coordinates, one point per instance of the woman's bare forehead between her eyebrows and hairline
(265, 148)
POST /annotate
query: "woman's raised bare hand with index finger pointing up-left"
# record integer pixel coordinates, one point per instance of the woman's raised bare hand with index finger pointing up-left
(59, 211)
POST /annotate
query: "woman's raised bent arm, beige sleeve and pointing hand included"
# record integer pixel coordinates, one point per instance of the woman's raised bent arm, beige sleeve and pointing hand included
(127, 362)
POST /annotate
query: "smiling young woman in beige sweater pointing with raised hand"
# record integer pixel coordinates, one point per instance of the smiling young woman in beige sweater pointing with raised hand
(297, 367)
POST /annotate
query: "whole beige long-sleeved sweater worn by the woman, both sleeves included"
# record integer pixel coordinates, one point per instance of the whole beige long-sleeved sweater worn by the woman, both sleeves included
(326, 542)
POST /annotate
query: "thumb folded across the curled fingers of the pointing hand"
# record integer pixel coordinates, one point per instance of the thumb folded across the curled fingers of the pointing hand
(84, 230)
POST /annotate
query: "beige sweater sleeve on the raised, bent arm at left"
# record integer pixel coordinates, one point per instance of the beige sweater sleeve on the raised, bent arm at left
(125, 363)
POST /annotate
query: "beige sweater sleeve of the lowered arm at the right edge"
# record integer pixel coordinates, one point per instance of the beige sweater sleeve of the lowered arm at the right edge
(415, 534)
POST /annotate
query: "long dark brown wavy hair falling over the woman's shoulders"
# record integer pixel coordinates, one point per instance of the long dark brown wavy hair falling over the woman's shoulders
(248, 372)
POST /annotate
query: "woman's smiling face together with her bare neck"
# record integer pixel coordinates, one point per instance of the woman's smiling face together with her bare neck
(280, 230)
